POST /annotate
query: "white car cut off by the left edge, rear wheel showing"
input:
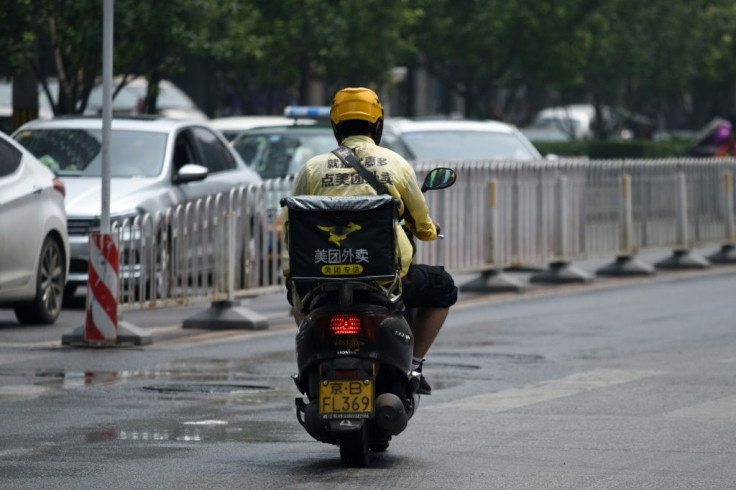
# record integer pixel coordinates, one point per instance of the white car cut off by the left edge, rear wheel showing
(34, 245)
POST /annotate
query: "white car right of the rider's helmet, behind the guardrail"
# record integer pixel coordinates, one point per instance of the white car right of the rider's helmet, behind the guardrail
(452, 139)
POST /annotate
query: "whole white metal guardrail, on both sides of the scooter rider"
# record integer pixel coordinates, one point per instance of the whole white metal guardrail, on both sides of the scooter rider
(499, 215)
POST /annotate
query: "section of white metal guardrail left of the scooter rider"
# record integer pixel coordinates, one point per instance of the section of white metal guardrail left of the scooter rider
(220, 248)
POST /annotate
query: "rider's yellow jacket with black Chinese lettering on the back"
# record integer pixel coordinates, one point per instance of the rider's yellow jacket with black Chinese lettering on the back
(325, 175)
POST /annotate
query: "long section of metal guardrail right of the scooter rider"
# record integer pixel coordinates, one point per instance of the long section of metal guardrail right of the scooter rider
(505, 214)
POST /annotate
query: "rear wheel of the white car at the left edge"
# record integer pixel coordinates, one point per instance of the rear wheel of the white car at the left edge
(44, 309)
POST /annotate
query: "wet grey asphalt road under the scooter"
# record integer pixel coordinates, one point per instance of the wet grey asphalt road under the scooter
(617, 384)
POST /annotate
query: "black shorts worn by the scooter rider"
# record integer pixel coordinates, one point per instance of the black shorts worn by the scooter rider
(423, 286)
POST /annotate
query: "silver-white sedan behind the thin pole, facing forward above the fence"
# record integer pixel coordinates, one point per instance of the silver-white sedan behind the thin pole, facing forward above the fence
(156, 163)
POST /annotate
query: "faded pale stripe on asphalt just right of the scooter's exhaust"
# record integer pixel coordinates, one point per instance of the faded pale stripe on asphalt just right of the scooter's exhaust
(574, 384)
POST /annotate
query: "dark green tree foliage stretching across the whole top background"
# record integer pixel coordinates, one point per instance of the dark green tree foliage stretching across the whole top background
(646, 56)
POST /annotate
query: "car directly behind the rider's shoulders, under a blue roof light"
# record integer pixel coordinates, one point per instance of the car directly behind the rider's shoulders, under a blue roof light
(282, 150)
